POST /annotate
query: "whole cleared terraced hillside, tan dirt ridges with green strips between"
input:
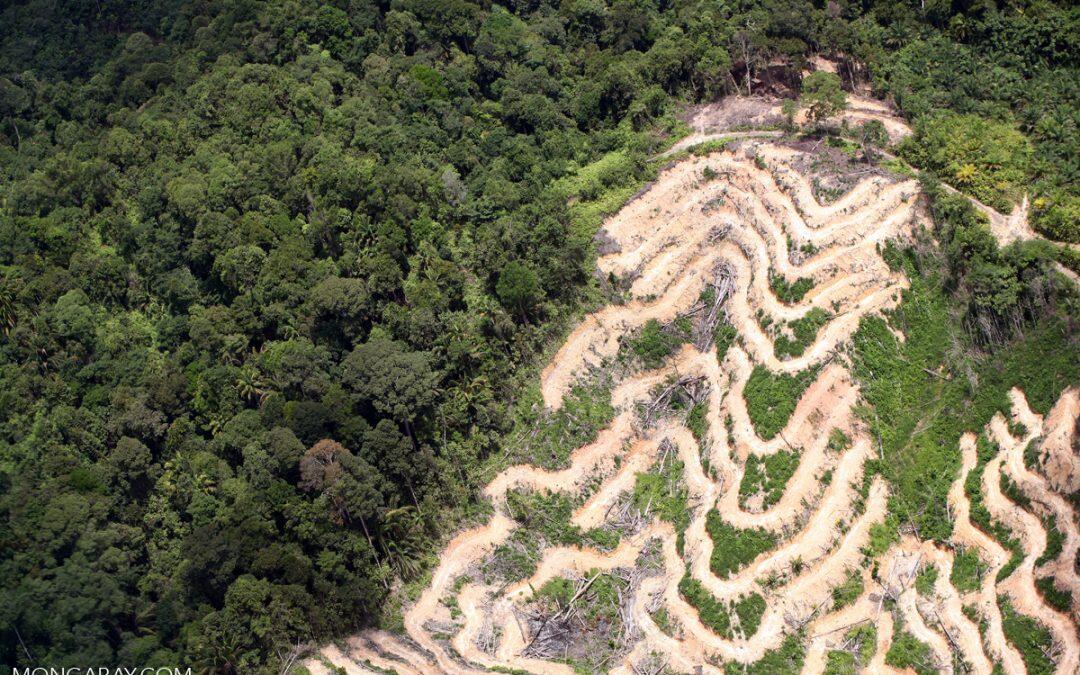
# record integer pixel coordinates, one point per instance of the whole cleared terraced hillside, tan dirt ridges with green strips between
(723, 520)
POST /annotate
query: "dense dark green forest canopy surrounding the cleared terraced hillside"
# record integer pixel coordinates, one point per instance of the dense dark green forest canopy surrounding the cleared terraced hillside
(274, 274)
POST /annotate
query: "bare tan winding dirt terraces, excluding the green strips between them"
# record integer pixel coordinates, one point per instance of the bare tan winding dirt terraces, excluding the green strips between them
(744, 215)
